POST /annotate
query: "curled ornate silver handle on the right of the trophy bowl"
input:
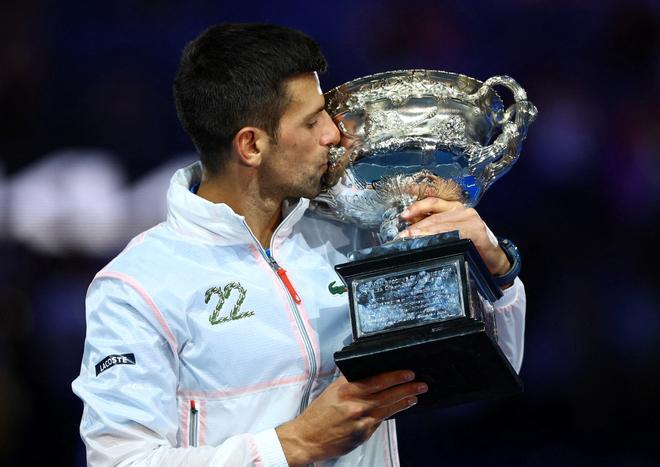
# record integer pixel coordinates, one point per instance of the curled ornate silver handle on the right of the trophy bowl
(515, 120)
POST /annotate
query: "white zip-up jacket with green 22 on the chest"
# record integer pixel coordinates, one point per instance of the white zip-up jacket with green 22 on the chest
(195, 350)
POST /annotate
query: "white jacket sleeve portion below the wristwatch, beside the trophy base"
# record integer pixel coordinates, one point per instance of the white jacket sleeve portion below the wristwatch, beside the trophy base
(510, 322)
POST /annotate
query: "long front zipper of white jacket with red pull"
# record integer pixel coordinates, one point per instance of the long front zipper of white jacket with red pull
(293, 299)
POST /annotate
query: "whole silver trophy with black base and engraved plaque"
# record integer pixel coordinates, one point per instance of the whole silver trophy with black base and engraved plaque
(419, 303)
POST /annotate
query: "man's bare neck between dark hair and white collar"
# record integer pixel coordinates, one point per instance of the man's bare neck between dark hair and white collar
(262, 215)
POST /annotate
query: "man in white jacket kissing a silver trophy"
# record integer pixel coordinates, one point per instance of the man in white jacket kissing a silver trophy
(210, 337)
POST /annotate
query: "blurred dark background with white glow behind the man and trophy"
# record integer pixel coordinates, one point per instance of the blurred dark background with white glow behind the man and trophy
(89, 138)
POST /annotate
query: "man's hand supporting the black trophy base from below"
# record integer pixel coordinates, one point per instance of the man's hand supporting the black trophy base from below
(345, 415)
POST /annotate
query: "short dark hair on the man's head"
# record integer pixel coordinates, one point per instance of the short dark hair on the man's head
(233, 75)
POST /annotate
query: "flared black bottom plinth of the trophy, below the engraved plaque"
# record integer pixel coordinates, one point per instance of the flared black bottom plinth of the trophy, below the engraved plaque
(460, 363)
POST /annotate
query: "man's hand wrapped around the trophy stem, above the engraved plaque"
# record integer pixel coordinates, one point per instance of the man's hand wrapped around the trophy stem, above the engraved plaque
(434, 215)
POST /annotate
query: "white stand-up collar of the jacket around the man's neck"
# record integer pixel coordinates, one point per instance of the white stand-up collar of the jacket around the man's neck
(193, 215)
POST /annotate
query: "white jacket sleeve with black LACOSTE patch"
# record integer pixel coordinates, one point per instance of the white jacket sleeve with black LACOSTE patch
(128, 385)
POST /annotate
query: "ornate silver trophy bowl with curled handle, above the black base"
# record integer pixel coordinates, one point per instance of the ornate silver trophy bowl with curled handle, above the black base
(404, 132)
